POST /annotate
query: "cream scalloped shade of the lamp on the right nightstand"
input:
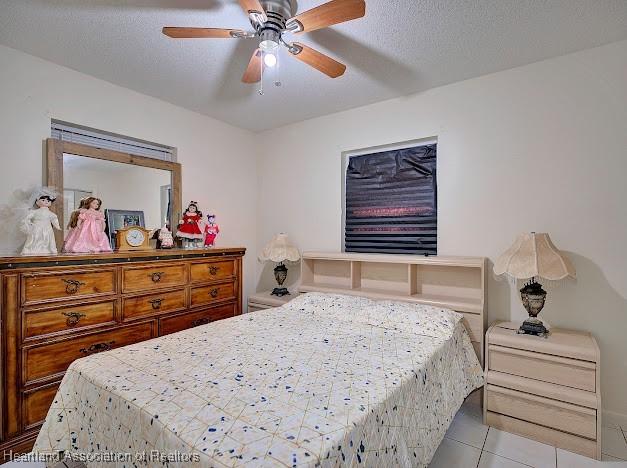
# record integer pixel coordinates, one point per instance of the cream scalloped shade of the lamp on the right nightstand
(534, 254)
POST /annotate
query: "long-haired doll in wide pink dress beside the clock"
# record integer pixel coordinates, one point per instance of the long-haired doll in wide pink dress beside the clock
(87, 227)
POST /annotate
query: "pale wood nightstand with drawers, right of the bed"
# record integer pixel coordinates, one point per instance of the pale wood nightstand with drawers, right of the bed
(546, 389)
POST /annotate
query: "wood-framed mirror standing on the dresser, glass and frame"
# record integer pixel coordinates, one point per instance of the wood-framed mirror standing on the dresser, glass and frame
(134, 190)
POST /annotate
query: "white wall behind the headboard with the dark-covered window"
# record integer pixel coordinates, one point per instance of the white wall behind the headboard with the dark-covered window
(536, 148)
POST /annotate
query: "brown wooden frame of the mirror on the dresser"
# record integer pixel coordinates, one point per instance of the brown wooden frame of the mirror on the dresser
(54, 173)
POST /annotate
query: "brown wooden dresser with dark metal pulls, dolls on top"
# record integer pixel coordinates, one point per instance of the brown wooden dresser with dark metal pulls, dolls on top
(56, 309)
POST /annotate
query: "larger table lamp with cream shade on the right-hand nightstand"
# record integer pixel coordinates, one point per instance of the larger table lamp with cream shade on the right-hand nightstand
(533, 255)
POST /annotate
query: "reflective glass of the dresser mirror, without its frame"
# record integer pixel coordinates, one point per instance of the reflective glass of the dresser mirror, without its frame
(120, 187)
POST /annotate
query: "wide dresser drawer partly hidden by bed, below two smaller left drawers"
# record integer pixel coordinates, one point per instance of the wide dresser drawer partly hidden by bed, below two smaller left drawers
(53, 359)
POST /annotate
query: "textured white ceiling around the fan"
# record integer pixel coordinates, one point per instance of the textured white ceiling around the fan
(400, 47)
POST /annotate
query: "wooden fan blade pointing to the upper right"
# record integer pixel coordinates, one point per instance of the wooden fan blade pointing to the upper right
(327, 14)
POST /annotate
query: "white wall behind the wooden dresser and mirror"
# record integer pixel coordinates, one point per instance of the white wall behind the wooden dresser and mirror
(218, 160)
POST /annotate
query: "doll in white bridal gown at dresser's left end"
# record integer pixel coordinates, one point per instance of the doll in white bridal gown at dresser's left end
(37, 225)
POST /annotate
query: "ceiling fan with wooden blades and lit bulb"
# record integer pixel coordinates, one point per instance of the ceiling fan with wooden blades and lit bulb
(271, 19)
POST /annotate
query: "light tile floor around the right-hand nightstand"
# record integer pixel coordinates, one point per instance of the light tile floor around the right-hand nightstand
(470, 444)
